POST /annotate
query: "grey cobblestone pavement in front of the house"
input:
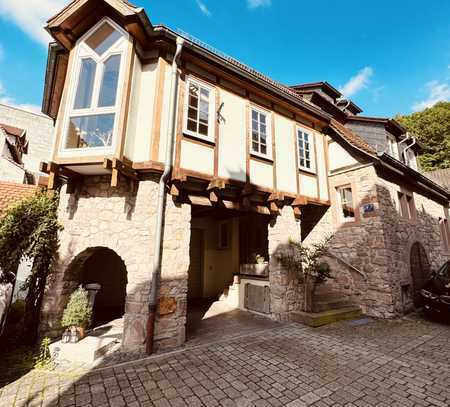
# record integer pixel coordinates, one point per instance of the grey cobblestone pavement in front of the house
(384, 363)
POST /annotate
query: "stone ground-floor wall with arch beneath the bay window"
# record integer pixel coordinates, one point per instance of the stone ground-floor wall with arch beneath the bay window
(124, 221)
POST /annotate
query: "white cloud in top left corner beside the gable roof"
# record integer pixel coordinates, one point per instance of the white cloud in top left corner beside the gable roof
(31, 15)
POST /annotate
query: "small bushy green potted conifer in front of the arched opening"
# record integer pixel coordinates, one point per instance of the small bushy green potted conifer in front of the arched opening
(77, 314)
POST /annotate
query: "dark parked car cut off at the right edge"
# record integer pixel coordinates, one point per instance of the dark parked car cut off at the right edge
(436, 293)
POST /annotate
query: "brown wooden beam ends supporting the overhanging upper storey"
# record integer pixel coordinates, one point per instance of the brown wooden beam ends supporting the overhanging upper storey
(189, 187)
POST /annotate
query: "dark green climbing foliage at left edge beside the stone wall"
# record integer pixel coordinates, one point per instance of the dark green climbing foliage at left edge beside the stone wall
(29, 230)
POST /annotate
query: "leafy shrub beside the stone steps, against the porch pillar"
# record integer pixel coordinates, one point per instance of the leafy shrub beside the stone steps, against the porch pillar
(306, 262)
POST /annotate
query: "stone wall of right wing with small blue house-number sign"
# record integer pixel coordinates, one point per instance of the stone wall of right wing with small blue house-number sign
(374, 268)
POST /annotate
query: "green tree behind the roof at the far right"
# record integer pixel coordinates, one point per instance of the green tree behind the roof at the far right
(432, 128)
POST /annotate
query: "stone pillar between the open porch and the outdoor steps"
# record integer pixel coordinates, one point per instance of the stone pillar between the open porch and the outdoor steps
(285, 291)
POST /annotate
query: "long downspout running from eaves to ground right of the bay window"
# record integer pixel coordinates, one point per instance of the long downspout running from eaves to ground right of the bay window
(161, 204)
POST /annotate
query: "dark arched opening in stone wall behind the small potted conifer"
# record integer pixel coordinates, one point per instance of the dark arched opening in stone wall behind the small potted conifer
(102, 266)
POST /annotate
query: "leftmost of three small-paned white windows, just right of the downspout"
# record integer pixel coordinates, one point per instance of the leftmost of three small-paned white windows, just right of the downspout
(199, 117)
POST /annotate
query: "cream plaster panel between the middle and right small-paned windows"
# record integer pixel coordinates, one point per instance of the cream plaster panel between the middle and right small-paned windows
(285, 154)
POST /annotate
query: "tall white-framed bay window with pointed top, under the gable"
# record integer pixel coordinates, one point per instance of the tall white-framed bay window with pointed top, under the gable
(94, 105)
